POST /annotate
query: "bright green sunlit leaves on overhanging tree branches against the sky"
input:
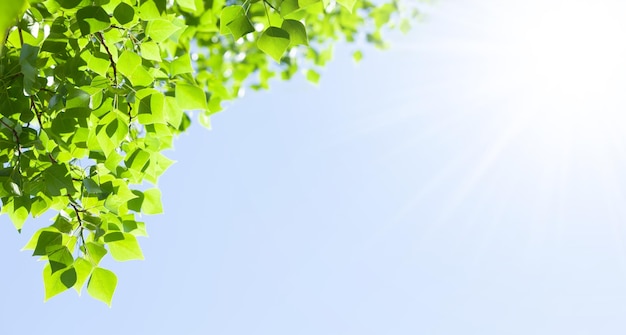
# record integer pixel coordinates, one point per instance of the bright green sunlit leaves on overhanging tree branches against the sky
(93, 92)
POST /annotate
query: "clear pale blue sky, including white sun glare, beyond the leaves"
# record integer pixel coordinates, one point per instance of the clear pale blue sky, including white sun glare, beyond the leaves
(467, 181)
